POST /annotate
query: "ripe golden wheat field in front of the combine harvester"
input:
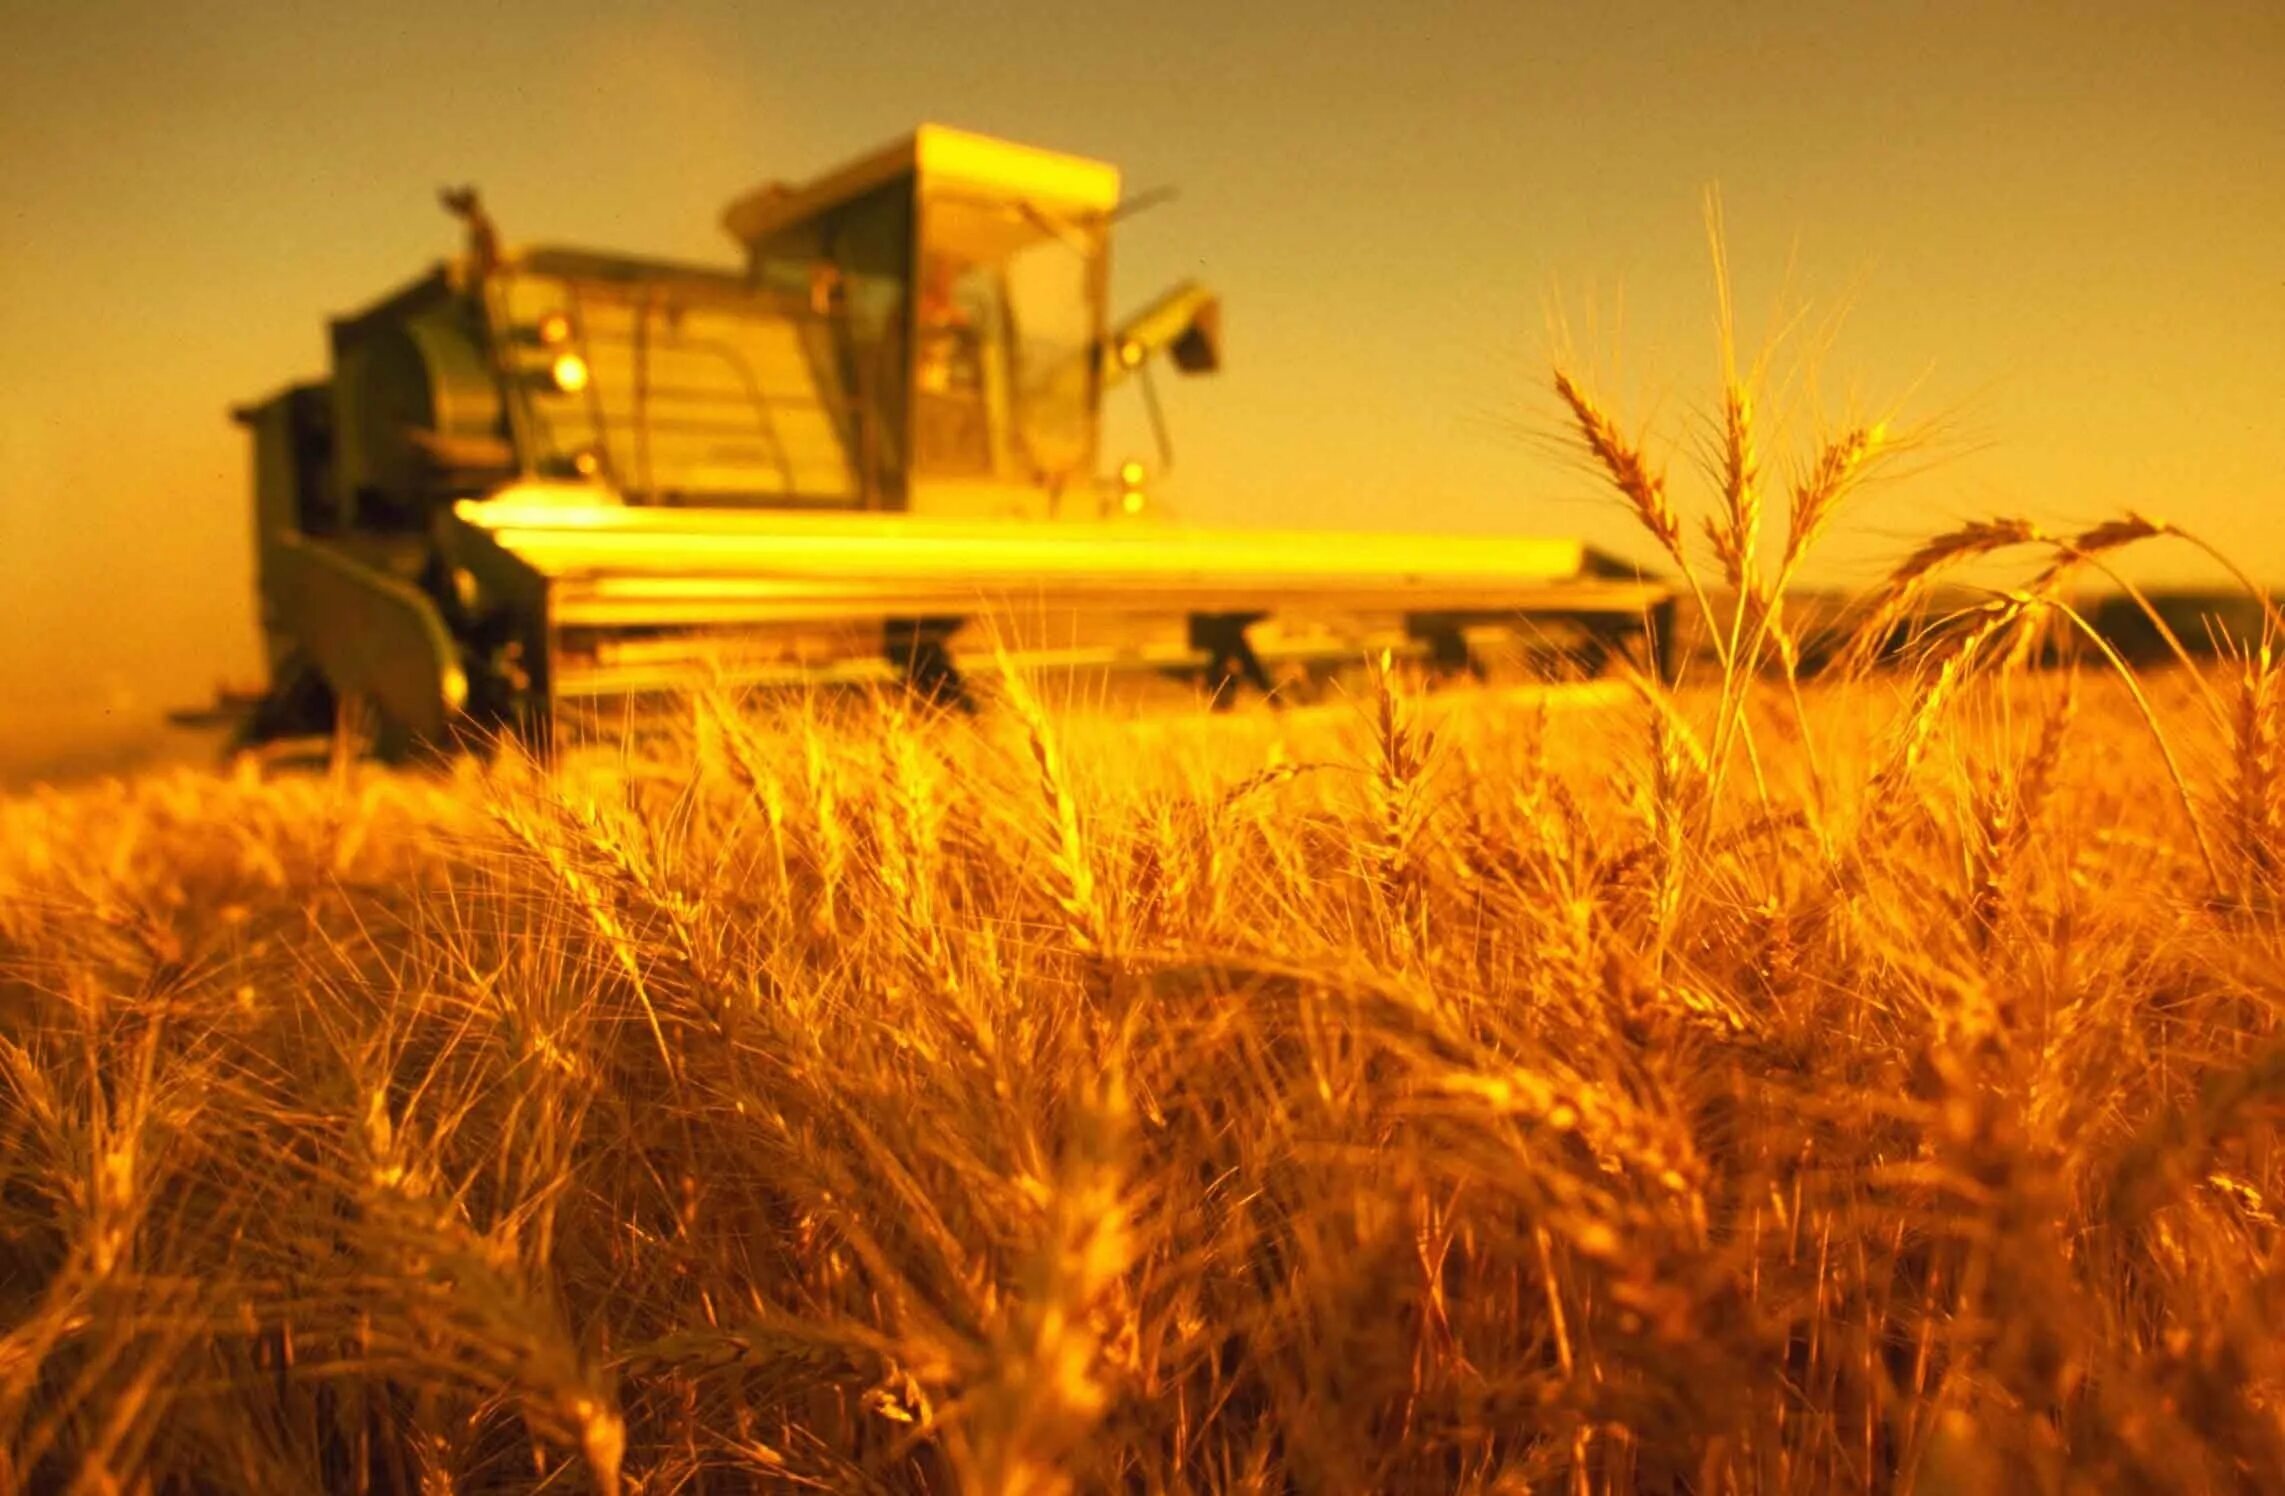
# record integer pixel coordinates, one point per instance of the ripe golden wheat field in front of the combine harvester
(1758, 1086)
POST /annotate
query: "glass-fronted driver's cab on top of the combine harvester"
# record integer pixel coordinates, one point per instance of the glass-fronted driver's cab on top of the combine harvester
(961, 287)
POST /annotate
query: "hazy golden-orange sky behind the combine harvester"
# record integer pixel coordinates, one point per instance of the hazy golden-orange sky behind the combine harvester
(2053, 232)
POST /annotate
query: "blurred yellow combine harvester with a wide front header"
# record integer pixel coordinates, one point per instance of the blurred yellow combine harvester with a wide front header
(547, 478)
